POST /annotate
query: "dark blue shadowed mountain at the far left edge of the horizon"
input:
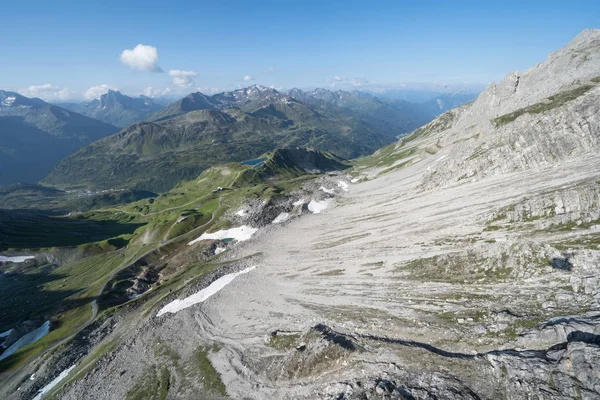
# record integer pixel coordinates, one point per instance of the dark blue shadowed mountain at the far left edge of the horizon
(35, 135)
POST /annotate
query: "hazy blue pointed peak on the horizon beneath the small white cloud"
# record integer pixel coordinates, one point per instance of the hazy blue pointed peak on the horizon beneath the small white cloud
(116, 109)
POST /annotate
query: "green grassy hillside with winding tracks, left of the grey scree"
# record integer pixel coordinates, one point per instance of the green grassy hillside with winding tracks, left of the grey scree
(84, 263)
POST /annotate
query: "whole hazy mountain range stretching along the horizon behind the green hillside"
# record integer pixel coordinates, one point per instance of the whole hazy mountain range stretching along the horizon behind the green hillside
(185, 137)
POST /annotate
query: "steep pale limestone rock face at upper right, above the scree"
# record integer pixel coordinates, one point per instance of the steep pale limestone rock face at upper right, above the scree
(544, 115)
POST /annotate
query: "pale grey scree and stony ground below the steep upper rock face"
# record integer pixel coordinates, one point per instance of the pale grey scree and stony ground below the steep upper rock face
(396, 290)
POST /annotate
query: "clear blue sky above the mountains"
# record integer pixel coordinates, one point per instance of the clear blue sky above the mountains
(60, 49)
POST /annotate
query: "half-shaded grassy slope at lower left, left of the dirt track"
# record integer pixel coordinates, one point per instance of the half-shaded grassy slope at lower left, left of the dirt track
(61, 294)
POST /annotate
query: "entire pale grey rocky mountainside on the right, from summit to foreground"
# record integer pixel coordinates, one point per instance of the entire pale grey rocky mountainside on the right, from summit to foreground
(463, 262)
